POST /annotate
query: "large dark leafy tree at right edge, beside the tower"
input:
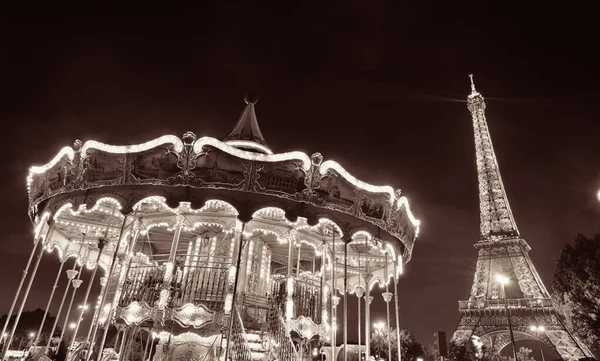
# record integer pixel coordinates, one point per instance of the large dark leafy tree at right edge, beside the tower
(576, 289)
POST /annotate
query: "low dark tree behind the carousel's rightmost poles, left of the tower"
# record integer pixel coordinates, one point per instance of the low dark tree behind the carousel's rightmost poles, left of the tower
(410, 348)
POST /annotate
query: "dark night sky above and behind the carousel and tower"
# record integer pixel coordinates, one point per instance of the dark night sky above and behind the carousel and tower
(380, 88)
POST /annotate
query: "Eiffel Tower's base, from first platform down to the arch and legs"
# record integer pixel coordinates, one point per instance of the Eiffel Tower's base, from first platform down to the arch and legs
(491, 328)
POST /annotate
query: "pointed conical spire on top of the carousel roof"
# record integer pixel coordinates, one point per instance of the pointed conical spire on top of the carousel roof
(246, 133)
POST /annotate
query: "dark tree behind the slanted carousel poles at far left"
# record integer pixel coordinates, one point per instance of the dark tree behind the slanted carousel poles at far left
(29, 324)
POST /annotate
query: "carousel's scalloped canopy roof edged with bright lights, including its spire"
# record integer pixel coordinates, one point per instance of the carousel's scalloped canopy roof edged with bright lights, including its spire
(183, 175)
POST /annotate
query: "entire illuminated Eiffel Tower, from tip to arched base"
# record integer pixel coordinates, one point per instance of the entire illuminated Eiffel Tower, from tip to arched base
(523, 302)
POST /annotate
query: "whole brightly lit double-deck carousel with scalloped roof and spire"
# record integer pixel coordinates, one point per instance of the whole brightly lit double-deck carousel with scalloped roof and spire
(212, 249)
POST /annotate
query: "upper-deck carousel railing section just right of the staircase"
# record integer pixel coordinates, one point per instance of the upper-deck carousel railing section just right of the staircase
(306, 295)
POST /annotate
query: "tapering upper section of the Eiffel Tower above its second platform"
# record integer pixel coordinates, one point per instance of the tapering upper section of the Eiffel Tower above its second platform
(497, 221)
